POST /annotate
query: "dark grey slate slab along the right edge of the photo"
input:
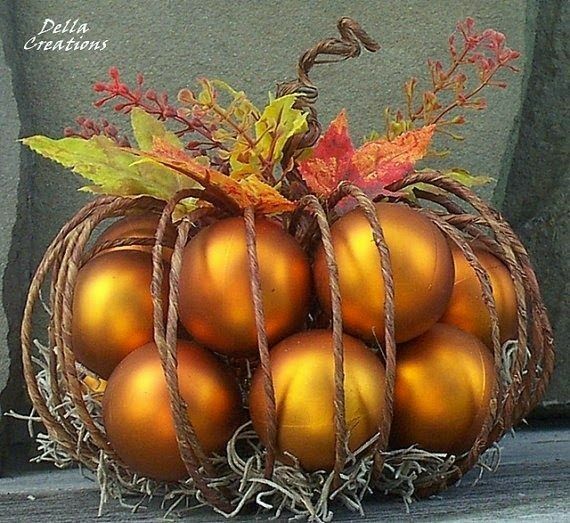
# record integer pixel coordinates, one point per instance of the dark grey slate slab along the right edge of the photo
(537, 190)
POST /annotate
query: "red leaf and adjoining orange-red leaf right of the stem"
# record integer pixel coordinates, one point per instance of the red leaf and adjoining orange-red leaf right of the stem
(372, 167)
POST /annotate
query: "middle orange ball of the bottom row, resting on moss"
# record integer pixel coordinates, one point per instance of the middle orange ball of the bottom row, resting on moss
(302, 367)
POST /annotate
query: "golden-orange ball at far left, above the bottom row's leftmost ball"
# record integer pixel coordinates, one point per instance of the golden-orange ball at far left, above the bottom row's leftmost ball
(112, 308)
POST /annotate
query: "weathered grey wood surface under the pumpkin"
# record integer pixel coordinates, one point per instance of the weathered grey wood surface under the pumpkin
(532, 484)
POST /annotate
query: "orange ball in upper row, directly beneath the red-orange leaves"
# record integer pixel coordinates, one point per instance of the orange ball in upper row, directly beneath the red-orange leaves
(422, 268)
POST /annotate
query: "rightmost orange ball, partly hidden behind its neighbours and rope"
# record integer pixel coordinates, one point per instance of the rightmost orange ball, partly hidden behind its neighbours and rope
(466, 308)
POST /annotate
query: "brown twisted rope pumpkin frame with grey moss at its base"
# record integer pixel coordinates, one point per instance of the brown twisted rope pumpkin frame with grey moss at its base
(248, 473)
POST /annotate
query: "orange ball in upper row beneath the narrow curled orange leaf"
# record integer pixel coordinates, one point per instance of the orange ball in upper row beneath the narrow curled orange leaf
(216, 304)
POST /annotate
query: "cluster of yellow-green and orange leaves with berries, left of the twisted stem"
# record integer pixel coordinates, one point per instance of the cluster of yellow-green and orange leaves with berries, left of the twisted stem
(240, 171)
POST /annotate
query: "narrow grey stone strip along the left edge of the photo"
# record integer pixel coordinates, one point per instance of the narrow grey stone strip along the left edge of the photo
(15, 238)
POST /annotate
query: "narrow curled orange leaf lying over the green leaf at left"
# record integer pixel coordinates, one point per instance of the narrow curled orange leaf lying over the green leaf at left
(247, 192)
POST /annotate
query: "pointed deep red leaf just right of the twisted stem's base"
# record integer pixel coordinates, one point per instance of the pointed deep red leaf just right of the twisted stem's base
(330, 160)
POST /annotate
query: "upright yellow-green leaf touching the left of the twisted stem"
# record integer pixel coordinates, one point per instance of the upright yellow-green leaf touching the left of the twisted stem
(278, 122)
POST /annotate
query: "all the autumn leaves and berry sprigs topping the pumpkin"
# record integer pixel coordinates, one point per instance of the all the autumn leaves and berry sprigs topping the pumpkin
(215, 141)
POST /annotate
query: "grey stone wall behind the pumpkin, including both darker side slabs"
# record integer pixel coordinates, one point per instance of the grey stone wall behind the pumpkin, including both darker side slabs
(253, 45)
